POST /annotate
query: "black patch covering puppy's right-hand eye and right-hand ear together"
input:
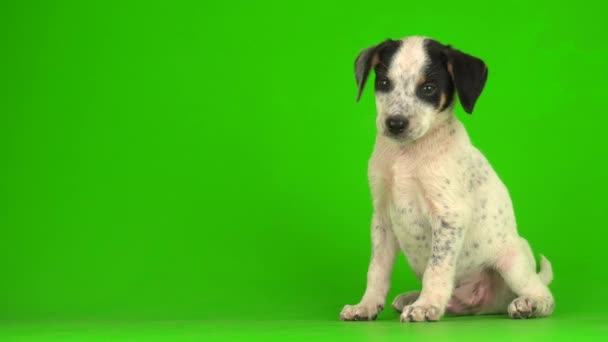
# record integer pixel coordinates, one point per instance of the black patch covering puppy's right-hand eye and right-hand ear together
(452, 70)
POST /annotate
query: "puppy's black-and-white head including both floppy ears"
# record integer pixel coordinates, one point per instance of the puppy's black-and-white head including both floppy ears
(416, 79)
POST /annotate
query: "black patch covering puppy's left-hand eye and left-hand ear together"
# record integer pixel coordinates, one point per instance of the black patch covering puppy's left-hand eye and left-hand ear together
(378, 57)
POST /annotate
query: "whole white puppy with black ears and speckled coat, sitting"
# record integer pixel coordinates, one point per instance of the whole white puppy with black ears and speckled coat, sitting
(436, 197)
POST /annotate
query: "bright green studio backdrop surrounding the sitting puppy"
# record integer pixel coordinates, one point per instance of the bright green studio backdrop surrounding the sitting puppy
(205, 161)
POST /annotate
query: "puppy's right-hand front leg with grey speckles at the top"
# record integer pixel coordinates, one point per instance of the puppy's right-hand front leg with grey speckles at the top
(438, 279)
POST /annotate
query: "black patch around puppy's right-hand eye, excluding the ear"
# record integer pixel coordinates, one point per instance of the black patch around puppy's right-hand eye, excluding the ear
(436, 72)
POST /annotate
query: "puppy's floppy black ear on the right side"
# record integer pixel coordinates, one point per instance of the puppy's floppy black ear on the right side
(469, 75)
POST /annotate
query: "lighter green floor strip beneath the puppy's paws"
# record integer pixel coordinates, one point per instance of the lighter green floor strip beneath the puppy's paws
(561, 326)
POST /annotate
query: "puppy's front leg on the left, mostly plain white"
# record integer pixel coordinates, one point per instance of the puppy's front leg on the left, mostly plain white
(384, 251)
